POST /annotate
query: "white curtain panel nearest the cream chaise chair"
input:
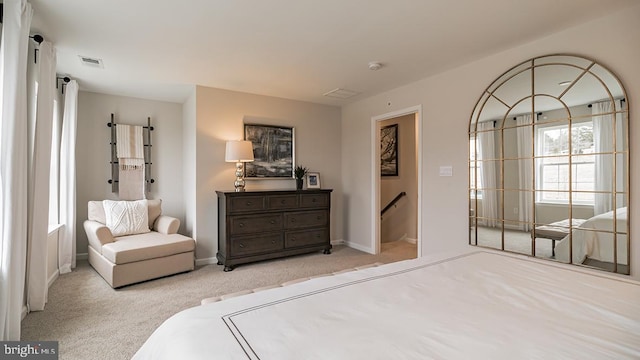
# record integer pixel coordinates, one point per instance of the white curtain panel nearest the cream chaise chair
(67, 248)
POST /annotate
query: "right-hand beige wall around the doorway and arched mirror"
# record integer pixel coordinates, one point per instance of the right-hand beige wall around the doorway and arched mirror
(448, 100)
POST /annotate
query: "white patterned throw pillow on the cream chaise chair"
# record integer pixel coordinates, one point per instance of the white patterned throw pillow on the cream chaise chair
(126, 217)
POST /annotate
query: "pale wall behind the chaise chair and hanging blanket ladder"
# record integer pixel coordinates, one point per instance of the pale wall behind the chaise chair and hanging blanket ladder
(93, 152)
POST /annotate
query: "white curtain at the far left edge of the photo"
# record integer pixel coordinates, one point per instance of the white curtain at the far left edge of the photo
(13, 164)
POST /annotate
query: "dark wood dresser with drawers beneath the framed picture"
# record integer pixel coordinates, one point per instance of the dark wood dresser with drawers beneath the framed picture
(260, 225)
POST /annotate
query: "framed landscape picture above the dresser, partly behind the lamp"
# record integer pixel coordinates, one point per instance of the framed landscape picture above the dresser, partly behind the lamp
(273, 149)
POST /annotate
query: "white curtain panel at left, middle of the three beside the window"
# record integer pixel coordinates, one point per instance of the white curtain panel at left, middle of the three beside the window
(40, 128)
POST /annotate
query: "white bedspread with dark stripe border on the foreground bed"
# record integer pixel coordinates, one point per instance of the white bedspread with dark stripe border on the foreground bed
(477, 306)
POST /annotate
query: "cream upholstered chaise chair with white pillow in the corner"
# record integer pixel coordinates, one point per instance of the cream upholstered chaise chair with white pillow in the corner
(128, 244)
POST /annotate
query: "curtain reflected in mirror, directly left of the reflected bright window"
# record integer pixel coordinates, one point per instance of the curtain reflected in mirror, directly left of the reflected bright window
(525, 146)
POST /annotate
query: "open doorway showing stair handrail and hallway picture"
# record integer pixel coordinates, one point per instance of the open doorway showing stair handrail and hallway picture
(396, 194)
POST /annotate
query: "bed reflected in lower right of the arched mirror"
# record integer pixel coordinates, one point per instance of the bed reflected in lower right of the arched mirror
(593, 239)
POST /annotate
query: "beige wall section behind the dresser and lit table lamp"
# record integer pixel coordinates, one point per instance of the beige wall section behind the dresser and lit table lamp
(219, 117)
